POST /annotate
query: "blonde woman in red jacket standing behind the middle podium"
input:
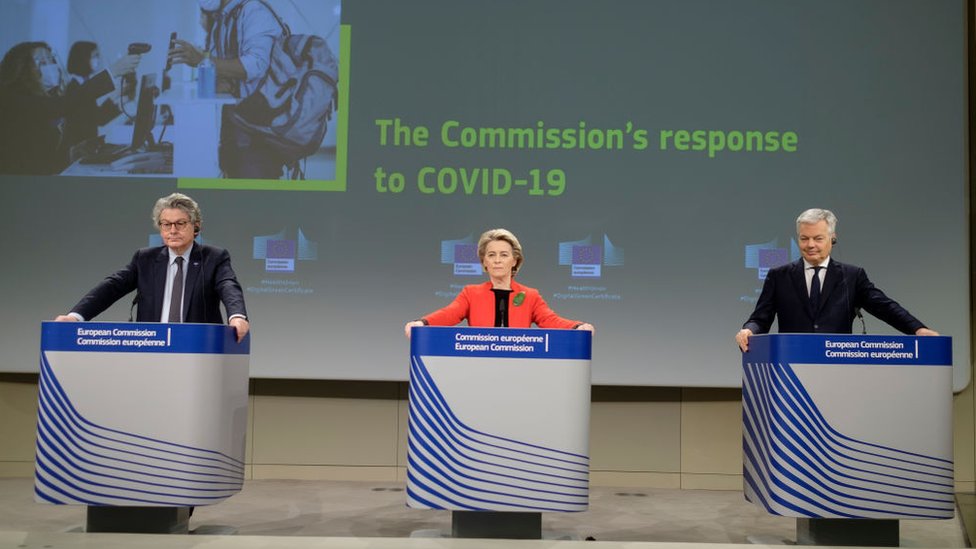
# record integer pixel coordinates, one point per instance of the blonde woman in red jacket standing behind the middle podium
(500, 301)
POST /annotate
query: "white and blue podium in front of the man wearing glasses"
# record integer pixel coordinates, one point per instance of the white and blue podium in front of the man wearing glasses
(140, 421)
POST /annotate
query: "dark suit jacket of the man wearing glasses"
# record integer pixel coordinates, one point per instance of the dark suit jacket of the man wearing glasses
(210, 280)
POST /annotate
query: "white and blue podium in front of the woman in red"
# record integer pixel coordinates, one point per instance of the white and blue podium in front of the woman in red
(498, 428)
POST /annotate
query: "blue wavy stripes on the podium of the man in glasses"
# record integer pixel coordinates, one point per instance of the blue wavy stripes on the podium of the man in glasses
(80, 462)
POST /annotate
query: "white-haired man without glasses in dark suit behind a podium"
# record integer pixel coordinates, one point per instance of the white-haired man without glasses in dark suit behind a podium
(816, 294)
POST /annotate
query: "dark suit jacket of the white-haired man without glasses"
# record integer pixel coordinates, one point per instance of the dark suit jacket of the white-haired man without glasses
(846, 288)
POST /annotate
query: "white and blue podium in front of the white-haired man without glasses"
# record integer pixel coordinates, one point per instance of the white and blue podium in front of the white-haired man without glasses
(848, 433)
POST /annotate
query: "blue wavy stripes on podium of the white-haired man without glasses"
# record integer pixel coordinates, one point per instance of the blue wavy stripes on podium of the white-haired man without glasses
(796, 464)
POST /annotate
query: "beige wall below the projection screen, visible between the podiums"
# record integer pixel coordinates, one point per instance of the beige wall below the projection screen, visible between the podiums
(639, 436)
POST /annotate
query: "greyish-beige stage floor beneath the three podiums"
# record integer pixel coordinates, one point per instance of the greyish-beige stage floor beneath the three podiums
(293, 513)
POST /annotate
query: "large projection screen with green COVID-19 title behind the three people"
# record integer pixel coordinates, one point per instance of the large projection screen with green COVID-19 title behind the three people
(651, 157)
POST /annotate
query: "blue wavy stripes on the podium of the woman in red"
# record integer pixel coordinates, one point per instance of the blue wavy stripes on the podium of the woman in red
(452, 465)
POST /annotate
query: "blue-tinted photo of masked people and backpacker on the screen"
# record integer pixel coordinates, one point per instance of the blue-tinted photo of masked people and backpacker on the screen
(197, 89)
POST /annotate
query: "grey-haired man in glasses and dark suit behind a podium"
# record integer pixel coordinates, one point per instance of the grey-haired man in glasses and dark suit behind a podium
(181, 281)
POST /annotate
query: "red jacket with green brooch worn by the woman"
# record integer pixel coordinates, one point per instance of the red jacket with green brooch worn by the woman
(476, 303)
